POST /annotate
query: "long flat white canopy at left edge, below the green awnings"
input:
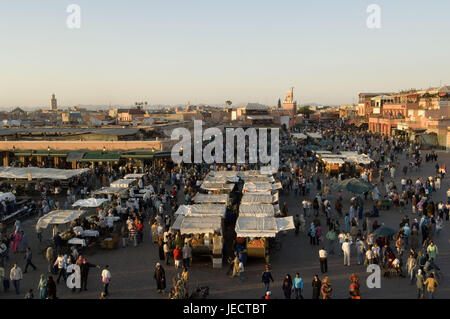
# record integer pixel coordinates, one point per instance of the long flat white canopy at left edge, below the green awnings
(40, 173)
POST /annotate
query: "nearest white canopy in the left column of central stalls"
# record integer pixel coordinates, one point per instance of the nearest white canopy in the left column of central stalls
(197, 224)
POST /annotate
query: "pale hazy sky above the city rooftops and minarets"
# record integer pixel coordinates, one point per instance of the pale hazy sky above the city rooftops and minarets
(209, 51)
